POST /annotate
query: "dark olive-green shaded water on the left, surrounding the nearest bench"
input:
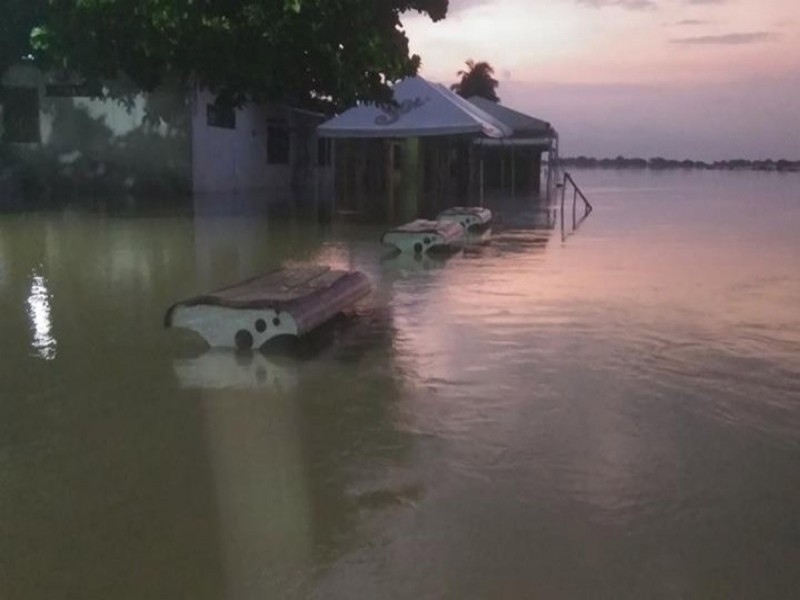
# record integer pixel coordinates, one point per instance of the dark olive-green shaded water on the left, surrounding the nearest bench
(260, 481)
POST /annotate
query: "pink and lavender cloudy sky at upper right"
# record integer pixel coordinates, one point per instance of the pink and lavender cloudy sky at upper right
(703, 79)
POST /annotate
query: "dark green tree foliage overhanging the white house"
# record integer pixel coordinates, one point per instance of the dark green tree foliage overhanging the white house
(304, 52)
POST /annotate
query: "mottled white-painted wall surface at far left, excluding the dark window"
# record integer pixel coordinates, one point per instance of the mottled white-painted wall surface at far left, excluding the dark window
(86, 141)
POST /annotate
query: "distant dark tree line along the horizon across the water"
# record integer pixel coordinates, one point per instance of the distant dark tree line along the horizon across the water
(659, 163)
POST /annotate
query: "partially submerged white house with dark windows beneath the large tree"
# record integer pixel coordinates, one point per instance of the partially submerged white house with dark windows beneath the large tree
(58, 137)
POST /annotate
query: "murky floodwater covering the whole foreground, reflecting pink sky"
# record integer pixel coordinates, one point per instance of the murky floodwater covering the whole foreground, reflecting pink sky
(614, 413)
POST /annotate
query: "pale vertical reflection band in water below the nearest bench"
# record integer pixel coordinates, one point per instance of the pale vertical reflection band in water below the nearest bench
(264, 509)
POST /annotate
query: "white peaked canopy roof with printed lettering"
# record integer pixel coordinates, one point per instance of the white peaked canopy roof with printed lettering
(423, 109)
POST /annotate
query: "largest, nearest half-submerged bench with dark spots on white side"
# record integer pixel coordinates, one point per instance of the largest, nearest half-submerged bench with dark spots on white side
(285, 302)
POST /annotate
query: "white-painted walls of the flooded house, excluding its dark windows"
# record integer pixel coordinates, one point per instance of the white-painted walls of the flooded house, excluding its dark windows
(105, 140)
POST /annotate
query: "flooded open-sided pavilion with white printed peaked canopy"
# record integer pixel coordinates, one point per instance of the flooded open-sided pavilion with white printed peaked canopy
(431, 149)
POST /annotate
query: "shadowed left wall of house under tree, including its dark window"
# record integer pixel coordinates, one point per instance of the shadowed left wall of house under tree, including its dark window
(74, 144)
